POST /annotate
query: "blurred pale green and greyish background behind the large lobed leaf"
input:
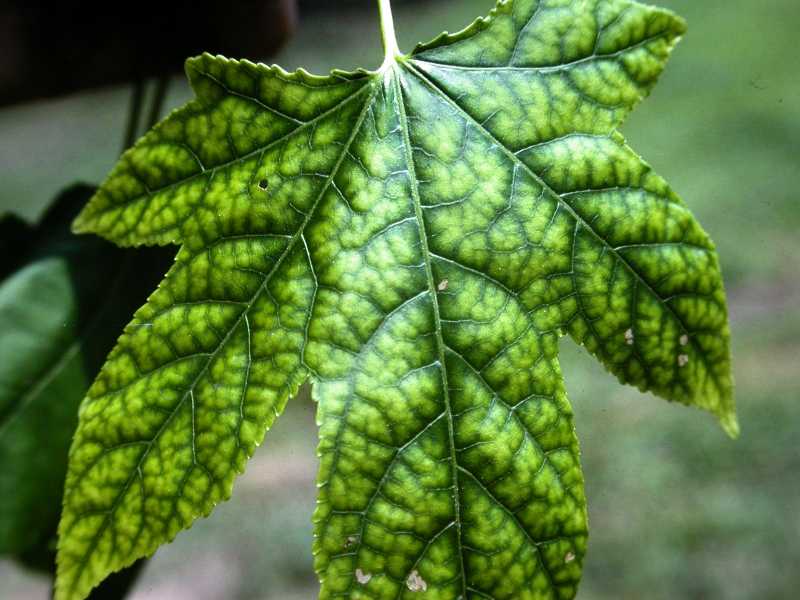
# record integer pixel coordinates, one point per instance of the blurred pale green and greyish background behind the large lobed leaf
(677, 510)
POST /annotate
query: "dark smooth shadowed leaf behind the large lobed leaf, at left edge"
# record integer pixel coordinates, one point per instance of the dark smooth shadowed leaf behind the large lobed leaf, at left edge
(57, 330)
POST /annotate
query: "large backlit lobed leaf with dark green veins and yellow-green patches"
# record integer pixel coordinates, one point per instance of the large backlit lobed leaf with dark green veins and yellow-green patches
(412, 240)
